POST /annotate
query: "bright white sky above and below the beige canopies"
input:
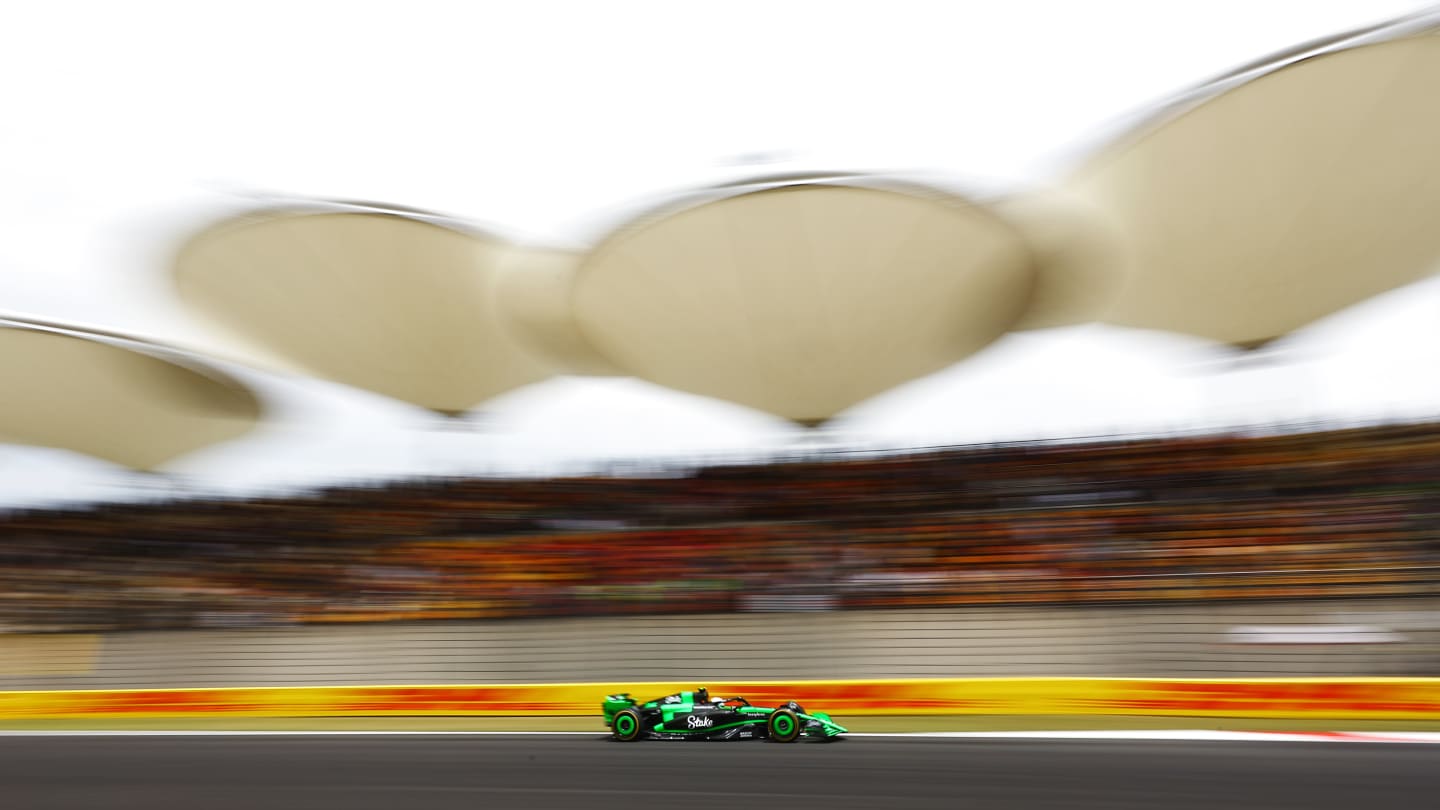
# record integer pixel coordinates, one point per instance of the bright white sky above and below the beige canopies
(127, 125)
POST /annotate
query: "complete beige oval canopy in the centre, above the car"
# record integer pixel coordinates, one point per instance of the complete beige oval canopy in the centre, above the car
(803, 299)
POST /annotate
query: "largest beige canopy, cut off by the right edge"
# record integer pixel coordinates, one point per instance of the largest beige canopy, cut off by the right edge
(1282, 192)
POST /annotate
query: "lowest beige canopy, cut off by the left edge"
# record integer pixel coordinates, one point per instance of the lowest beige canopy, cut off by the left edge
(126, 401)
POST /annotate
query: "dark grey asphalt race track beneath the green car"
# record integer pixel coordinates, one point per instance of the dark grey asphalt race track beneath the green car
(559, 772)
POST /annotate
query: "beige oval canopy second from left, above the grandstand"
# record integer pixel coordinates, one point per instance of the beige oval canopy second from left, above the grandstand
(391, 302)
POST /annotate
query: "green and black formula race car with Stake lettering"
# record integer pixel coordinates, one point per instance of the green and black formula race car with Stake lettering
(695, 716)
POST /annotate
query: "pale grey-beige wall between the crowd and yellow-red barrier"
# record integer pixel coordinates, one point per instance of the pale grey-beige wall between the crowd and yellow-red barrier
(1367, 638)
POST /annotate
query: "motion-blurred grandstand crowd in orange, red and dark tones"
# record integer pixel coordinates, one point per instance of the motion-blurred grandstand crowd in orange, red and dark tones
(1328, 514)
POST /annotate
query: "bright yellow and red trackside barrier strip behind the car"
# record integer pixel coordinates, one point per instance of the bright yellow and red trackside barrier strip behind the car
(1277, 698)
